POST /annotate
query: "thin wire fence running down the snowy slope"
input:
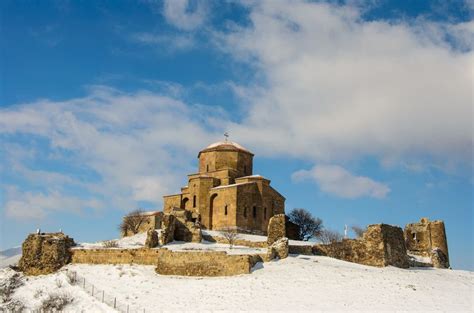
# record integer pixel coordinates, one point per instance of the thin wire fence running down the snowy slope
(116, 303)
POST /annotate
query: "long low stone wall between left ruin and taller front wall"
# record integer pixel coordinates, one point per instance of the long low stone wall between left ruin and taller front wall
(142, 256)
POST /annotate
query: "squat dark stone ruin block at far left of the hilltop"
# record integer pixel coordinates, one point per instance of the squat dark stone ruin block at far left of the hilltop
(45, 253)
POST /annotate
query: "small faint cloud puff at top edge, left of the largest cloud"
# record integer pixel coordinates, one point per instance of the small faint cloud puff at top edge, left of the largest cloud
(185, 14)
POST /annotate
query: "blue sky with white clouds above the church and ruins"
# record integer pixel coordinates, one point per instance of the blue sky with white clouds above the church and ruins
(360, 111)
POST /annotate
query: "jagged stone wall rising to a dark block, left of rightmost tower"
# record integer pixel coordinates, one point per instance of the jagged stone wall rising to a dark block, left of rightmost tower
(381, 245)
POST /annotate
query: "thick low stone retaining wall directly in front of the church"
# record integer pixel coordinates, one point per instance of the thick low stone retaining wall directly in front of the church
(203, 263)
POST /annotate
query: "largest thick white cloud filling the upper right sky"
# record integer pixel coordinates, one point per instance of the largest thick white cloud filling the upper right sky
(338, 88)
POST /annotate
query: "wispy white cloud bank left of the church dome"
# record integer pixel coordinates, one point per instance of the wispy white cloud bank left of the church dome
(137, 146)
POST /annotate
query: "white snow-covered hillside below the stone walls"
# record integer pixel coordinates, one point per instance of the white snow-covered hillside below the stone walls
(298, 283)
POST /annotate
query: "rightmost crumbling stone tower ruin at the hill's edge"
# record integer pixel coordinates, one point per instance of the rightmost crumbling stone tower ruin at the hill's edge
(428, 239)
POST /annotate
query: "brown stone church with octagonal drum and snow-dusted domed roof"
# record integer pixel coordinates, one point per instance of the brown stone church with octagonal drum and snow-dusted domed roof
(225, 193)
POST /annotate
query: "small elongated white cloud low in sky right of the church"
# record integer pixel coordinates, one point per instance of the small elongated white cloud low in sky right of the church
(336, 180)
